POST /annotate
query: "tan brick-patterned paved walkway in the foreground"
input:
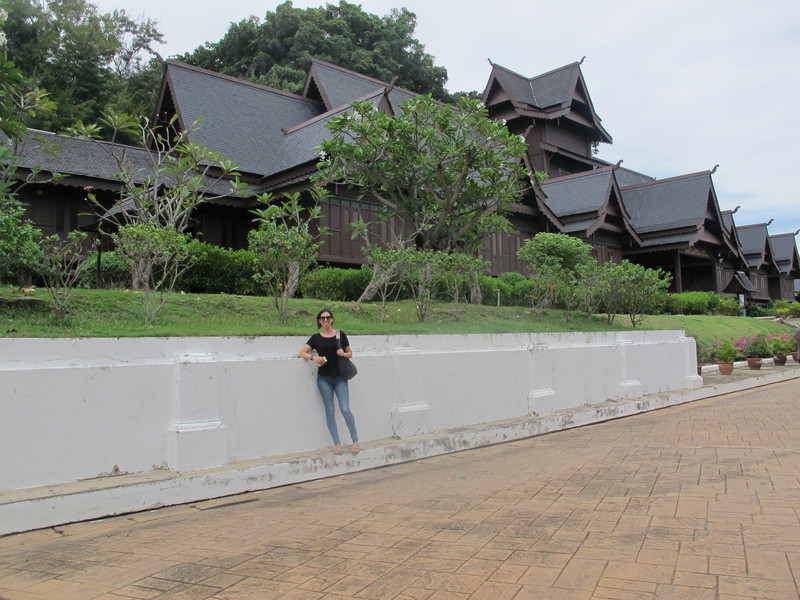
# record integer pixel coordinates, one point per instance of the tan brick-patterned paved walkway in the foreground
(697, 501)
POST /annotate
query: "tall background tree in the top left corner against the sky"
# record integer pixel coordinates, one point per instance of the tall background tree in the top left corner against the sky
(83, 57)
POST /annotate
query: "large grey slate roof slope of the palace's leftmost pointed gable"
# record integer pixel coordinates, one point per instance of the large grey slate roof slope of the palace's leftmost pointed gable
(239, 119)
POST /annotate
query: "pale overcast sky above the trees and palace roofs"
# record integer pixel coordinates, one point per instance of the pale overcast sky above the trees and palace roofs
(681, 85)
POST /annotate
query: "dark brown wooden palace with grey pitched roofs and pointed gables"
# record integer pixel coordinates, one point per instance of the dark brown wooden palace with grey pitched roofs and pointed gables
(674, 224)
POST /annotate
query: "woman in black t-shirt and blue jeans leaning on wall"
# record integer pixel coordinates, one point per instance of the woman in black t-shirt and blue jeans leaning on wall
(328, 378)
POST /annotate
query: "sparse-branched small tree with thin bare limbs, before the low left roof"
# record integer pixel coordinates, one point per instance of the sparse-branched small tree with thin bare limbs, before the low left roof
(160, 192)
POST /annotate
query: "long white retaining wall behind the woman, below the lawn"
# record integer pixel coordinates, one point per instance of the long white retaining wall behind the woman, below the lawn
(77, 409)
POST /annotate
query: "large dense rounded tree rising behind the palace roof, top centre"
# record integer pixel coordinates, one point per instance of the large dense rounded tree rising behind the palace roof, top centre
(275, 52)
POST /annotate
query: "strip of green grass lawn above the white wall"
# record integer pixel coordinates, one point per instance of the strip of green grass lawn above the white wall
(118, 313)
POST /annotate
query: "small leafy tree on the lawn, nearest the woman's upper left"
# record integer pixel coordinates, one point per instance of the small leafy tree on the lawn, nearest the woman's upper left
(285, 245)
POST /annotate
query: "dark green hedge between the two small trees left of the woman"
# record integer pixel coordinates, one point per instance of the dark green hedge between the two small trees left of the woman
(217, 270)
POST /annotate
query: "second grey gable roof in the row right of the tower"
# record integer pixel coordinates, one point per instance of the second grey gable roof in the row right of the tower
(674, 210)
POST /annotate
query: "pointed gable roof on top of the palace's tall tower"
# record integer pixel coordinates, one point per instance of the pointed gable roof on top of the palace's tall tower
(558, 93)
